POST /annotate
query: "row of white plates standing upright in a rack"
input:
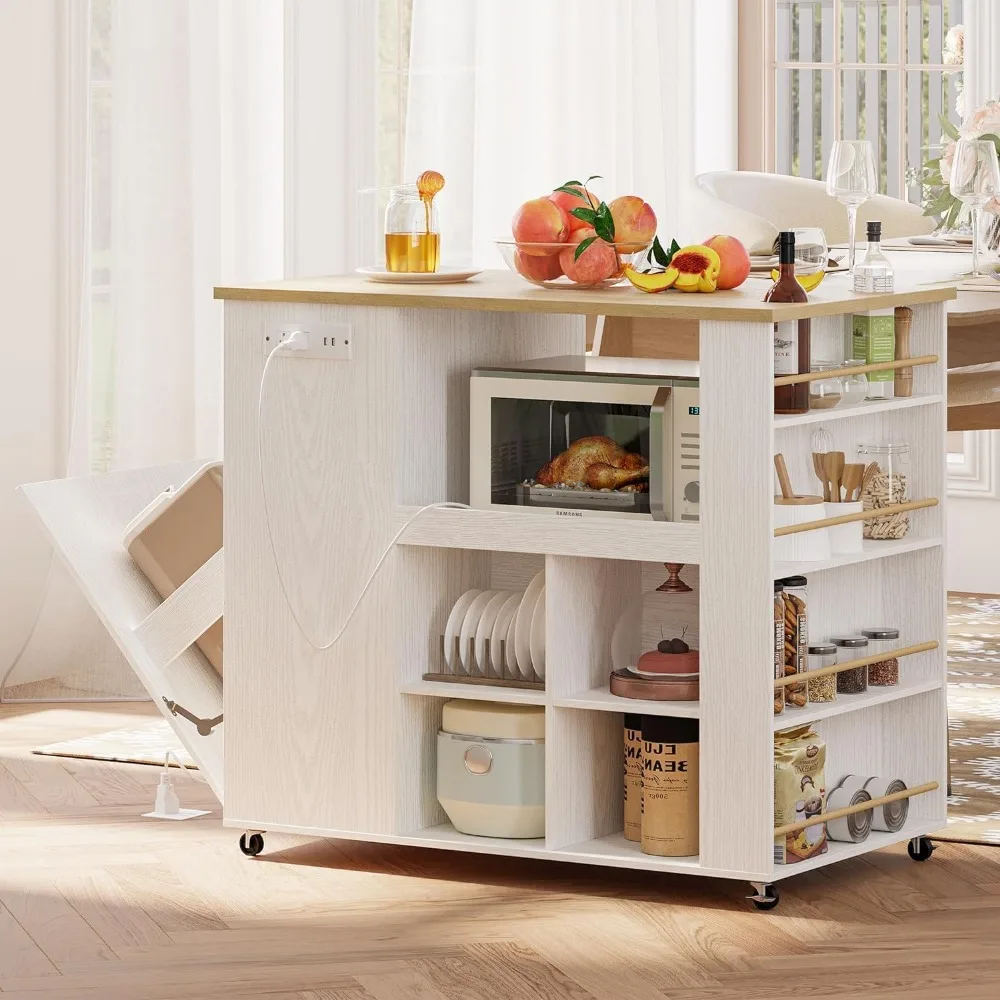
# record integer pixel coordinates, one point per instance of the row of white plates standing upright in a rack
(498, 634)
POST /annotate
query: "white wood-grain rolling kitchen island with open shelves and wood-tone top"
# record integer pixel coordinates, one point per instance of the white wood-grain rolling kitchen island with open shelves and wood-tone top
(401, 410)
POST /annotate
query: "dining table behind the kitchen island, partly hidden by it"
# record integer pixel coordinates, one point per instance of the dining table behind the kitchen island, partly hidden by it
(973, 348)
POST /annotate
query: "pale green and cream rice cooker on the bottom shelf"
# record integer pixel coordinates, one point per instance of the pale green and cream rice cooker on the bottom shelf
(491, 768)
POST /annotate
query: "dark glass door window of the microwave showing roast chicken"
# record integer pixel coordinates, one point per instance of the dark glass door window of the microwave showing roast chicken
(556, 453)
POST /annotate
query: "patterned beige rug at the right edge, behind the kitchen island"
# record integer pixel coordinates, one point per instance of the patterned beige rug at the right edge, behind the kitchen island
(974, 719)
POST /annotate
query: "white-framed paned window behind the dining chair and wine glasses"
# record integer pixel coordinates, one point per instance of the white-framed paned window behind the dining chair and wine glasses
(862, 69)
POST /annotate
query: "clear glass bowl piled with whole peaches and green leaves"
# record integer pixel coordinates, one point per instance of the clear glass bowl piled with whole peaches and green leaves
(569, 239)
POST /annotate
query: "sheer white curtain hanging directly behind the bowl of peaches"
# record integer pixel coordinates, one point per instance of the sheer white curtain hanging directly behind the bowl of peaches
(510, 99)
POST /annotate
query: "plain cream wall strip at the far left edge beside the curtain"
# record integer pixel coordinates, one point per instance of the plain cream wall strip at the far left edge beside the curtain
(30, 404)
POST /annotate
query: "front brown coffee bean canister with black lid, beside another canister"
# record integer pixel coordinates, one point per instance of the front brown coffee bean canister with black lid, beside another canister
(669, 786)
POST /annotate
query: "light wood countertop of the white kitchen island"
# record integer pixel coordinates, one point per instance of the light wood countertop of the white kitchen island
(503, 291)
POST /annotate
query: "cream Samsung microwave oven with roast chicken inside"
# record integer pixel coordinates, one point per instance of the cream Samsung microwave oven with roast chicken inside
(586, 436)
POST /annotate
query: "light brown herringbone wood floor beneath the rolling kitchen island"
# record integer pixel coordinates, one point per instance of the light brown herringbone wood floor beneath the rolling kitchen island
(98, 903)
